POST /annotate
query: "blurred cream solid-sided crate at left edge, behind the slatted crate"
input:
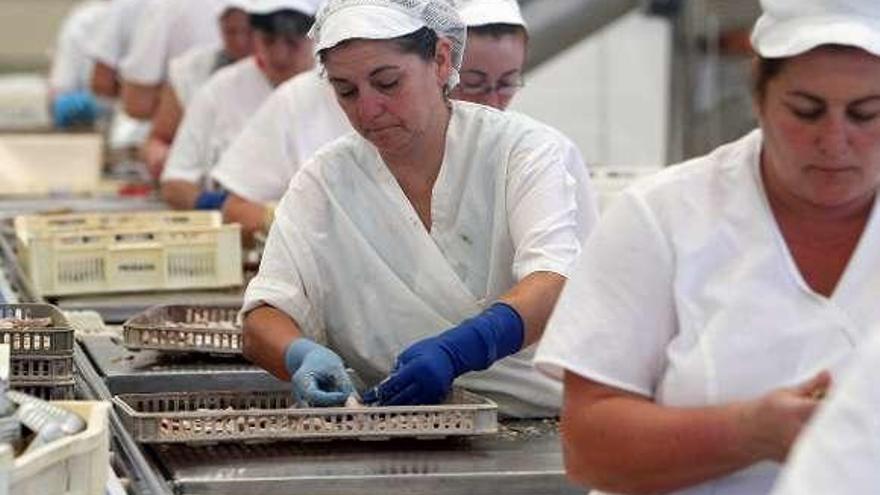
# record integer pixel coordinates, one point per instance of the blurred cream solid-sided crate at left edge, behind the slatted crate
(39, 164)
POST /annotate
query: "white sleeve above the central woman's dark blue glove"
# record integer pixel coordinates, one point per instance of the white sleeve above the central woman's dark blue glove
(541, 208)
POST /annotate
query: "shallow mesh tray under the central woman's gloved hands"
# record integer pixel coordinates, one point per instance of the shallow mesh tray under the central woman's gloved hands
(213, 417)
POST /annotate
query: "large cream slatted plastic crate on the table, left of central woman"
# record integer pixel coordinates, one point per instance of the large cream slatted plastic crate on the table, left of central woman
(126, 252)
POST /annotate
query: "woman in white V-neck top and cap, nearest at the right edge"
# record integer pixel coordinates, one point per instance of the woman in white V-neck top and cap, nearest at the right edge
(714, 301)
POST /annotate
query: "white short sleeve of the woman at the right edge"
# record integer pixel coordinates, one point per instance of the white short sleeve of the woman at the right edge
(616, 315)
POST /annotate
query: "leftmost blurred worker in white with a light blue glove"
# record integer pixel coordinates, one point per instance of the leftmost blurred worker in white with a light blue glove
(70, 76)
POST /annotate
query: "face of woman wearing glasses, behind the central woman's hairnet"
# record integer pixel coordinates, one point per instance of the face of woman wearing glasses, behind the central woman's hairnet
(491, 73)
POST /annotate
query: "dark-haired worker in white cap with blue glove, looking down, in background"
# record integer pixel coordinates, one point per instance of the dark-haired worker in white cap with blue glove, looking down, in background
(227, 101)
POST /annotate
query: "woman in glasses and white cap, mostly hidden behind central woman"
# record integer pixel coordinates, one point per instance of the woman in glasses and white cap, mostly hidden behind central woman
(303, 115)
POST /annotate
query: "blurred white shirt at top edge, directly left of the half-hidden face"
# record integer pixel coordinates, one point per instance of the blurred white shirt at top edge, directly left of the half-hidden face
(169, 28)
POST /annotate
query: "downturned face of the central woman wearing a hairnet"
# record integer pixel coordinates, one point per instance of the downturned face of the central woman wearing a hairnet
(390, 97)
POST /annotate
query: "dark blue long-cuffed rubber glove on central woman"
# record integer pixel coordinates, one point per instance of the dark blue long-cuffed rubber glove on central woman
(425, 370)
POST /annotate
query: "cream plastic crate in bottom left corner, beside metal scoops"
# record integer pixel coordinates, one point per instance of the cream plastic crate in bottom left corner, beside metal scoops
(75, 465)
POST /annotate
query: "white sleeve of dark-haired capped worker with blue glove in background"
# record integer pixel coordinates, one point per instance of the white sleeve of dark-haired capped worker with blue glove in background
(190, 156)
